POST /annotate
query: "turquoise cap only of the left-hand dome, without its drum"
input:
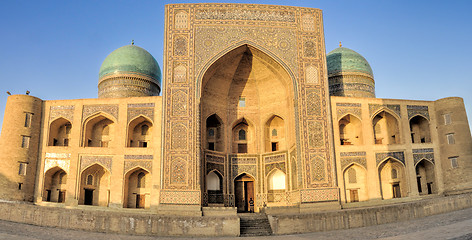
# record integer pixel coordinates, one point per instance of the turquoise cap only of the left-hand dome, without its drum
(131, 59)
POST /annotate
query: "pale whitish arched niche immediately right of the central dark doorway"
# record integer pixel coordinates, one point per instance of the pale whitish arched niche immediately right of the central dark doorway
(276, 186)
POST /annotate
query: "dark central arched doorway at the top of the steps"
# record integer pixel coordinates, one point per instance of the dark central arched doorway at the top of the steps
(244, 193)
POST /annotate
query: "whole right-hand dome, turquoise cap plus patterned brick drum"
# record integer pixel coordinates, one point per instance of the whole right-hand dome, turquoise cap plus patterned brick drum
(349, 74)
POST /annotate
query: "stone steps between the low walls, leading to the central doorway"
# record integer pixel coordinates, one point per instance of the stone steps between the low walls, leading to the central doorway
(254, 224)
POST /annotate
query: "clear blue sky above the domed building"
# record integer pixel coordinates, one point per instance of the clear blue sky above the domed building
(417, 49)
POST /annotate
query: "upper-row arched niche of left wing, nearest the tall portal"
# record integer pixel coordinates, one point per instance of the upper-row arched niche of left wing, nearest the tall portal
(140, 132)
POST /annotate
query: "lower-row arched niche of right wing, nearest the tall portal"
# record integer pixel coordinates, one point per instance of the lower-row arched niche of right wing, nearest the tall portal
(355, 183)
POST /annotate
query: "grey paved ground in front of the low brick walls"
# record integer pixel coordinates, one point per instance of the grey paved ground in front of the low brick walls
(455, 225)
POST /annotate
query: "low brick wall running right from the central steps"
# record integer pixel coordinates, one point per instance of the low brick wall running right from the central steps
(363, 217)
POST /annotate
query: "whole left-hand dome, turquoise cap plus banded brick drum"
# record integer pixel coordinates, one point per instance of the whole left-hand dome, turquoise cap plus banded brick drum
(129, 71)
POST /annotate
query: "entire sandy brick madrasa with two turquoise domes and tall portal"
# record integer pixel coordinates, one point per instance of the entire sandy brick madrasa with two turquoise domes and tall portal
(253, 115)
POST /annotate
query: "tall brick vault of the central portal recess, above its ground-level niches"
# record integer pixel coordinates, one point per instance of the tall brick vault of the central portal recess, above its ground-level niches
(246, 82)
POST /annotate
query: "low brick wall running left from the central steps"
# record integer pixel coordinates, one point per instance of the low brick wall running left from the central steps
(119, 222)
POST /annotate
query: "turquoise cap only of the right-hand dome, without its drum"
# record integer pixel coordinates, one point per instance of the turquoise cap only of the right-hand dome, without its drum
(346, 60)
